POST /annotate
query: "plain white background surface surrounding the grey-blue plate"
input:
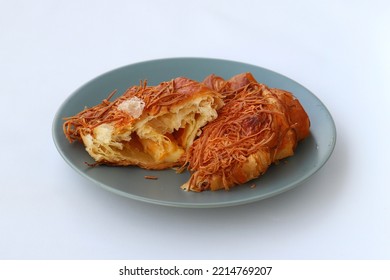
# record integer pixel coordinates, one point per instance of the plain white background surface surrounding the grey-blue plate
(337, 49)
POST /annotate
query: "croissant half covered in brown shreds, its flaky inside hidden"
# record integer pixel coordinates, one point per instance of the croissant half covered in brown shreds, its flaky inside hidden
(256, 127)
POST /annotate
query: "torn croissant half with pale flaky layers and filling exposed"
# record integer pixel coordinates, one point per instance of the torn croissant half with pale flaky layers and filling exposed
(148, 126)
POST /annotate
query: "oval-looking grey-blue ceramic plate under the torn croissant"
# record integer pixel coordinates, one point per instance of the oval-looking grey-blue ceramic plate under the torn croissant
(310, 156)
